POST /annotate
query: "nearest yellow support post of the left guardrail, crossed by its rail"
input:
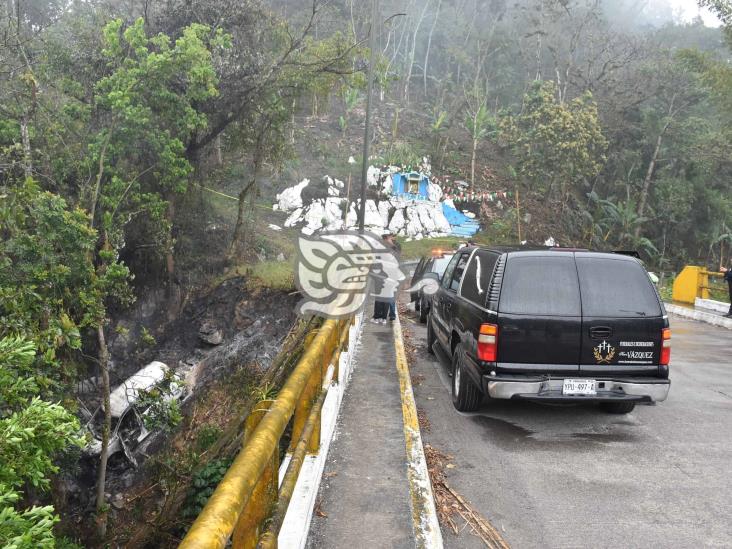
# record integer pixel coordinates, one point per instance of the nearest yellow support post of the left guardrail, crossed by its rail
(250, 524)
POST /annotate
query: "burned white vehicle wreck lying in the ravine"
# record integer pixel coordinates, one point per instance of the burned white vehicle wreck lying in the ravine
(132, 410)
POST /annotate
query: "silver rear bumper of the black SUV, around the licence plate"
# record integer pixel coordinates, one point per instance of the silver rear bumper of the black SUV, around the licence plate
(528, 388)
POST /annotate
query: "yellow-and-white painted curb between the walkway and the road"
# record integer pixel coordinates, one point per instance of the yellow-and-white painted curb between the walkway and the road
(427, 531)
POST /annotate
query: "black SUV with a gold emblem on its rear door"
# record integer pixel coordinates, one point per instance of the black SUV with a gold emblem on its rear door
(551, 325)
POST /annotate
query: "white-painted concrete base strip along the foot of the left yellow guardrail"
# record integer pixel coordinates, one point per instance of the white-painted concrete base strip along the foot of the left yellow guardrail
(296, 526)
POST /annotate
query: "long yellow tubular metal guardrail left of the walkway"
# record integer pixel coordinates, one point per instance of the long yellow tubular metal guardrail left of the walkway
(247, 506)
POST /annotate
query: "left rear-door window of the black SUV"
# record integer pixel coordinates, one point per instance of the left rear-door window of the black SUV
(540, 285)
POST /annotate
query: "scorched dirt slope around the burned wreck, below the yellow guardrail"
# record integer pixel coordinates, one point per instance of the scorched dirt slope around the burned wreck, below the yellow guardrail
(221, 344)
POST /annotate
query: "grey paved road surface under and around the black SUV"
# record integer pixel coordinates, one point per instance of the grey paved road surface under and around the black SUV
(573, 476)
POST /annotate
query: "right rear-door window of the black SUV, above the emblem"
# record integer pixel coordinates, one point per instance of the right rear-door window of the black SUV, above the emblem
(616, 288)
